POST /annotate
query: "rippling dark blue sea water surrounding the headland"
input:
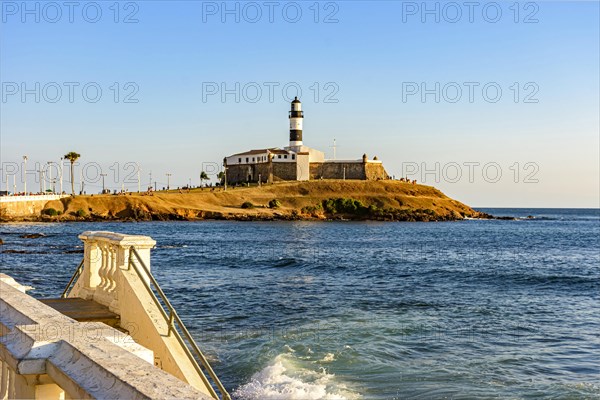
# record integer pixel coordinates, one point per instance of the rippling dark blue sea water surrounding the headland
(347, 310)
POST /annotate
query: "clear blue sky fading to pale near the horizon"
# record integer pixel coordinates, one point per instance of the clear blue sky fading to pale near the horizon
(358, 67)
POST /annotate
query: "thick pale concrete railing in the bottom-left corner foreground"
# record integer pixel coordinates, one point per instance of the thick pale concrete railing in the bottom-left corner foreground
(47, 355)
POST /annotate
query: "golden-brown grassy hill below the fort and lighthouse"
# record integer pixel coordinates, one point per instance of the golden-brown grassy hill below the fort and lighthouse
(327, 199)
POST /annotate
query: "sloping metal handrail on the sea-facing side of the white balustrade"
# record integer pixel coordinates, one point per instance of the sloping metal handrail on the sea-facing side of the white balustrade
(172, 318)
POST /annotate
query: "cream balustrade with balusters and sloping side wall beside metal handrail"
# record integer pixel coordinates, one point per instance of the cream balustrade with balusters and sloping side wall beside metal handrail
(108, 278)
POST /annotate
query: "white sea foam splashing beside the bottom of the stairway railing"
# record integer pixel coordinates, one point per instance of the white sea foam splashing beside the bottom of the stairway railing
(284, 379)
